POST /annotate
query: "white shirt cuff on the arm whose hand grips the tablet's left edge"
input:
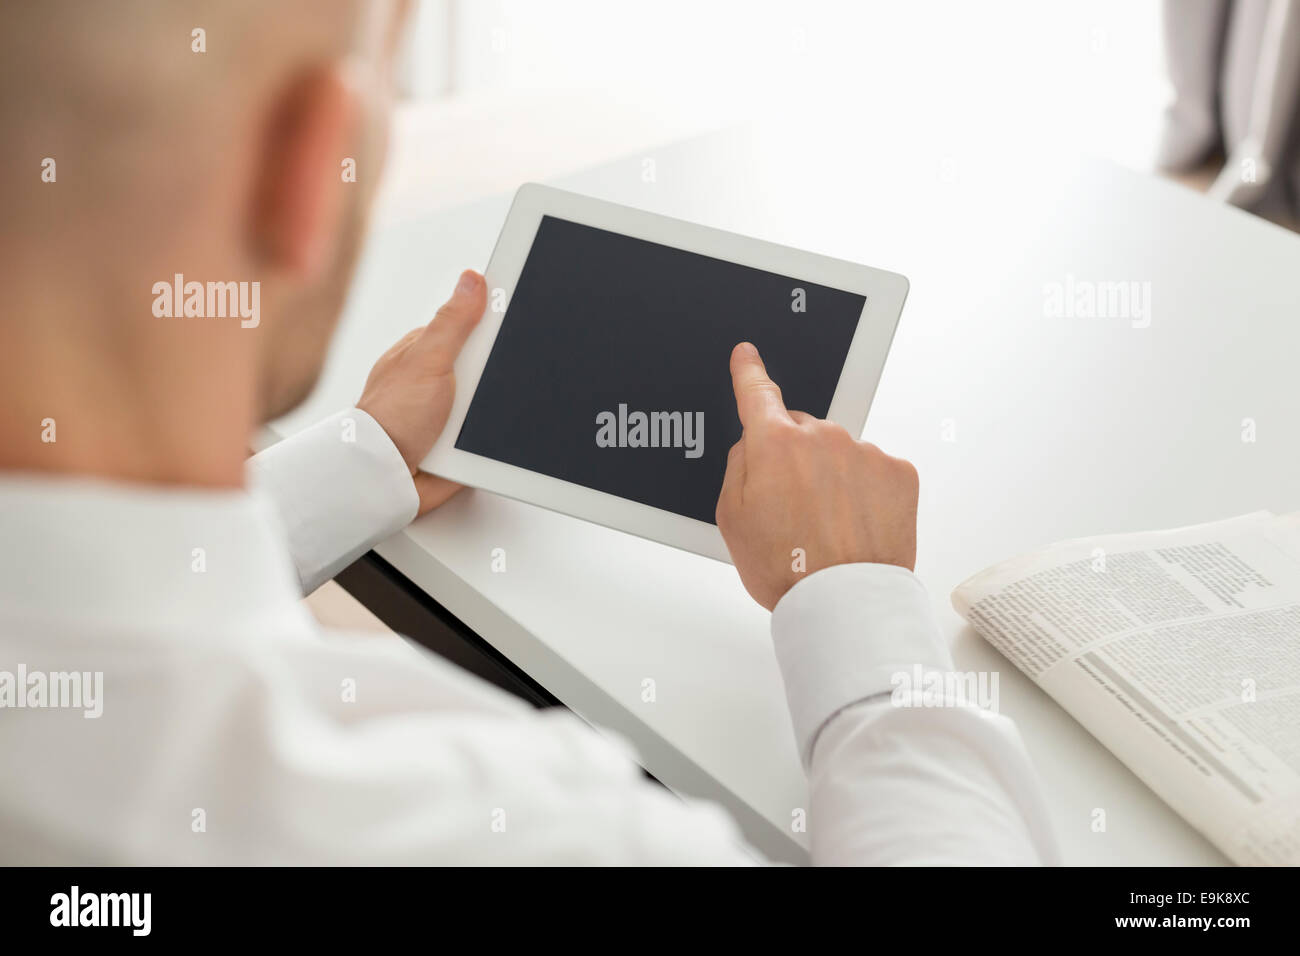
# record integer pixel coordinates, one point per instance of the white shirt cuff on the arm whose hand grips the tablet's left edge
(341, 487)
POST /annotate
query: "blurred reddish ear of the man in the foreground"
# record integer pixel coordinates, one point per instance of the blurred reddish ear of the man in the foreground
(301, 197)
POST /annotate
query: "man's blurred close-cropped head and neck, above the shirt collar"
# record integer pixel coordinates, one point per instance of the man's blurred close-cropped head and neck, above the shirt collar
(229, 141)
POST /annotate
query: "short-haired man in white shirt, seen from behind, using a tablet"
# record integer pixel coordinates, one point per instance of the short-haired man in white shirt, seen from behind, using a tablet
(135, 550)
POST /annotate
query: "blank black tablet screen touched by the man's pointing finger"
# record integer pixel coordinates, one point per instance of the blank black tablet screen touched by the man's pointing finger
(612, 365)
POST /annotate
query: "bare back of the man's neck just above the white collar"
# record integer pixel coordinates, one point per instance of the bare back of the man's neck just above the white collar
(162, 403)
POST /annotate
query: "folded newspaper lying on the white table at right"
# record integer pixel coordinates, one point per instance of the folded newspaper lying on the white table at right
(1180, 651)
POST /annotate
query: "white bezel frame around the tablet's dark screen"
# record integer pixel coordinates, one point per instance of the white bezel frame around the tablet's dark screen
(885, 292)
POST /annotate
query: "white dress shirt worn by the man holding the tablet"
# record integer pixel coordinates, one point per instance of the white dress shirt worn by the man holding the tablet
(233, 730)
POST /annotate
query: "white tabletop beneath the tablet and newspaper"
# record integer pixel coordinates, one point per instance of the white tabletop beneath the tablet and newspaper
(1063, 429)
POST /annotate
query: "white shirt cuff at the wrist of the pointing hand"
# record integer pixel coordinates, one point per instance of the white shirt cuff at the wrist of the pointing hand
(842, 635)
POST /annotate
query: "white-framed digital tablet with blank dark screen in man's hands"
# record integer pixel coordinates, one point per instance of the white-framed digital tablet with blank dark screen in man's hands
(599, 382)
